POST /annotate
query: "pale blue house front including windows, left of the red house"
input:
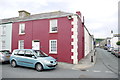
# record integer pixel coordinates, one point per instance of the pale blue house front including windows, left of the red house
(5, 35)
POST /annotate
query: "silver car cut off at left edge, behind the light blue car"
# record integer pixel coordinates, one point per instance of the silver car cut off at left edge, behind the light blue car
(5, 55)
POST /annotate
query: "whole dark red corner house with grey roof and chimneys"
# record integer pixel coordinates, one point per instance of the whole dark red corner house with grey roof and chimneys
(59, 34)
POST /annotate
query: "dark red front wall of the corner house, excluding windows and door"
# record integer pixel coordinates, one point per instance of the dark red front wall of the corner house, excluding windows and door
(39, 30)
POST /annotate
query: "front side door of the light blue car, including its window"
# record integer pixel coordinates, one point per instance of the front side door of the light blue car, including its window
(29, 58)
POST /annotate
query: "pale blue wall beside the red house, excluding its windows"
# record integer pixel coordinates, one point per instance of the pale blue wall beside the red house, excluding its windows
(7, 37)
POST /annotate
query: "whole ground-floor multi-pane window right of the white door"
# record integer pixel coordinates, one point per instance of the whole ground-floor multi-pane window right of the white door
(53, 46)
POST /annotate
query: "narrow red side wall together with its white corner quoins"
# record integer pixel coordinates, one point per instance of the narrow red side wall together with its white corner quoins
(77, 39)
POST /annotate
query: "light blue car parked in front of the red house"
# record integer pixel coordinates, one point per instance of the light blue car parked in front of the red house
(32, 58)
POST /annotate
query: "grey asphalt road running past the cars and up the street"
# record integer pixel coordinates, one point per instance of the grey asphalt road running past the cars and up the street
(106, 67)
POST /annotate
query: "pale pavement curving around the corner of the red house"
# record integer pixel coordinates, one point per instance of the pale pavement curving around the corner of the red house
(87, 62)
